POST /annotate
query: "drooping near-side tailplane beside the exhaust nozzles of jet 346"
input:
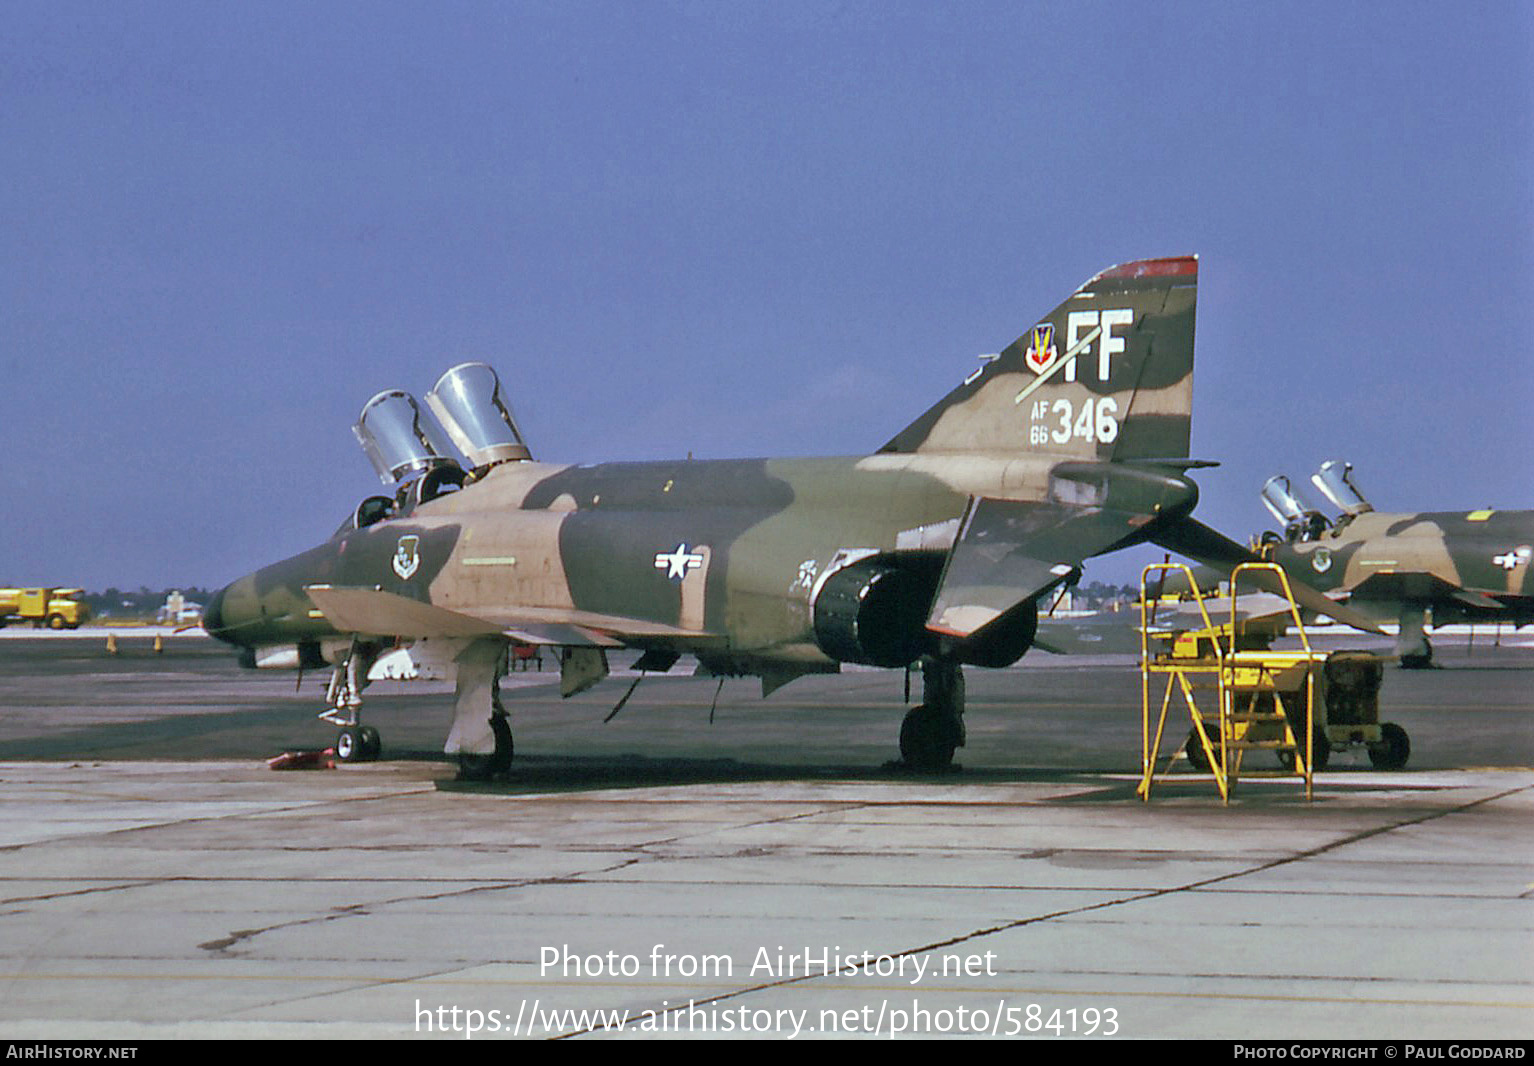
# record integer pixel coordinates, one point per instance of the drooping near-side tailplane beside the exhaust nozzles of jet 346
(1009, 553)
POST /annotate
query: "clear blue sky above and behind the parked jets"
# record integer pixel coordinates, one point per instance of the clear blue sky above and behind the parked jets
(732, 229)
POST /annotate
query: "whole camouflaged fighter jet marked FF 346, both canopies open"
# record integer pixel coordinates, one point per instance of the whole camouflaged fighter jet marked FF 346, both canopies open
(935, 550)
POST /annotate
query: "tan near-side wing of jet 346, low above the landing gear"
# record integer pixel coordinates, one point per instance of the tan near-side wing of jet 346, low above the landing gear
(387, 614)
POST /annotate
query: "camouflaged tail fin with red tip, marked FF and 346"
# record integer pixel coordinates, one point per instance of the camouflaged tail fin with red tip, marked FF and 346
(1105, 377)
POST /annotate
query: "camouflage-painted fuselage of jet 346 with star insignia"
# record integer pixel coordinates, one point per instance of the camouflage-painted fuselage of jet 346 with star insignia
(709, 556)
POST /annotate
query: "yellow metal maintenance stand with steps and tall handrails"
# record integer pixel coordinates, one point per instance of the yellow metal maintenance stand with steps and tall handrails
(1262, 697)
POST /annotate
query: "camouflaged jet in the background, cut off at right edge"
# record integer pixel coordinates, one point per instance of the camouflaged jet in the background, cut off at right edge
(1458, 565)
